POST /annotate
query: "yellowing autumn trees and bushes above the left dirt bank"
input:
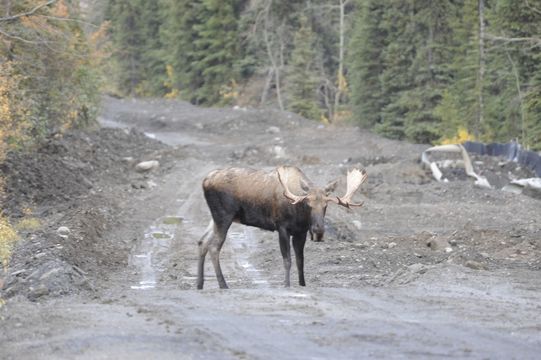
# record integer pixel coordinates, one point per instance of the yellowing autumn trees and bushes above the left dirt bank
(47, 77)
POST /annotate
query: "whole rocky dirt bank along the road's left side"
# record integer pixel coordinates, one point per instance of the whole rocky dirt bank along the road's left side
(75, 185)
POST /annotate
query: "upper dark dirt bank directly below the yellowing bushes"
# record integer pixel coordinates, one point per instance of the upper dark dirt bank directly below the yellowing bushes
(65, 168)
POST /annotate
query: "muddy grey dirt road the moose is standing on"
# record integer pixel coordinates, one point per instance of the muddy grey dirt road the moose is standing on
(374, 287)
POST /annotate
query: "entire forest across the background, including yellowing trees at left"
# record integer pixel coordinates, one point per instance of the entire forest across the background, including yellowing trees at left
(417, 70)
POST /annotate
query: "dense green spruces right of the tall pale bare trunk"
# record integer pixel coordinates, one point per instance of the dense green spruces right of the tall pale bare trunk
(417, 69)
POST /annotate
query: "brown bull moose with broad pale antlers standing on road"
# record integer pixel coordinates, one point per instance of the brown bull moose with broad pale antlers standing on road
(282, 200)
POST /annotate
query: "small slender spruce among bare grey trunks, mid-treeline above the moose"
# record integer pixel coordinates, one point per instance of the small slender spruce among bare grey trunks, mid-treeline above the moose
(302, 84)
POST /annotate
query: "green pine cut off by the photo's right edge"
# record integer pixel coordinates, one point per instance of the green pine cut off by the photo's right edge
(520, 96)
